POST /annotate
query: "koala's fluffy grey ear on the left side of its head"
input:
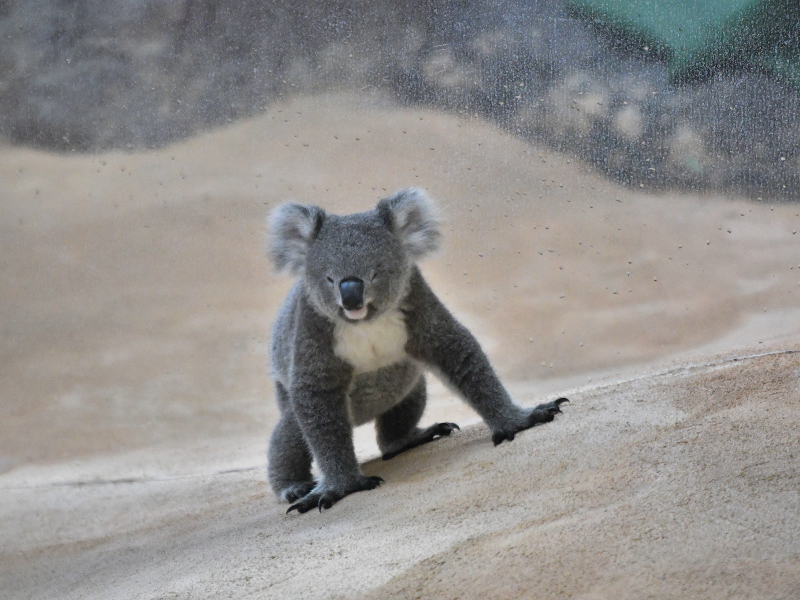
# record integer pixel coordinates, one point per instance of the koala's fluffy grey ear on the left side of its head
(293, 228)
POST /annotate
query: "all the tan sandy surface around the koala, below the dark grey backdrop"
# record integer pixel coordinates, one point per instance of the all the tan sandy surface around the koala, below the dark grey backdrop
(134, 319)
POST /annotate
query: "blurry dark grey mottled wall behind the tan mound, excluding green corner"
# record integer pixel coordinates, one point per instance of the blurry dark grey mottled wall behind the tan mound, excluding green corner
(91, 74)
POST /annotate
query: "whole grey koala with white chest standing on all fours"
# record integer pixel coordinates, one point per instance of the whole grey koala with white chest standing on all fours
(352, 343)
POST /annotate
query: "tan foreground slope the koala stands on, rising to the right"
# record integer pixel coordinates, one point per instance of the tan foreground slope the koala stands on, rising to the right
(674, 484)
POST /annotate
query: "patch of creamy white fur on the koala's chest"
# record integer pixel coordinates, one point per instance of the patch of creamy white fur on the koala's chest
(368, 346)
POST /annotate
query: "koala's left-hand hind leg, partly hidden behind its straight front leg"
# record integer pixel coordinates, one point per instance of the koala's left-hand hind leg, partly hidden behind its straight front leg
(289, 457)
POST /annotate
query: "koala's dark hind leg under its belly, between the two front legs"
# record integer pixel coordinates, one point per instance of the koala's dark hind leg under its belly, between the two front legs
(397, 427)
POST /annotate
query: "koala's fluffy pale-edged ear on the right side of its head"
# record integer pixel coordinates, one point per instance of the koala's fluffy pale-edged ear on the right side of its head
(413, 217)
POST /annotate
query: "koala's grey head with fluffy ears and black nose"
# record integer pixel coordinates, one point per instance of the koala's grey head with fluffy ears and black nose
(358, 266)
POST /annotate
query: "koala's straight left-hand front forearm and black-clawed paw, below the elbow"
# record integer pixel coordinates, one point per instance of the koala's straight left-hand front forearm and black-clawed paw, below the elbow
(322, 415)
